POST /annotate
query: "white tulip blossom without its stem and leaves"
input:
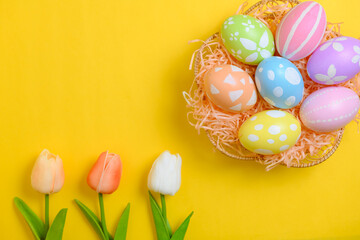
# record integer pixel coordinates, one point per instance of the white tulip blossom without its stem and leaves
(165, 174)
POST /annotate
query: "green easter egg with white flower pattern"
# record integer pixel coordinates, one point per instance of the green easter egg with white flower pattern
(247, 39)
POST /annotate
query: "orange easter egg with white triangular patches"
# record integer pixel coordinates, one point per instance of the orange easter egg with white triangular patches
(230, 88)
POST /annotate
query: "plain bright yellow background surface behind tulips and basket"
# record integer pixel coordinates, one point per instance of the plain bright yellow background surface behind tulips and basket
(81, 77)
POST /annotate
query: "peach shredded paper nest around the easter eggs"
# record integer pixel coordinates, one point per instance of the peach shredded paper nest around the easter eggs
(222, 127)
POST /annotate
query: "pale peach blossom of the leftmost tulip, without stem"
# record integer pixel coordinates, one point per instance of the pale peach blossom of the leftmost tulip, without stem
(48, 173)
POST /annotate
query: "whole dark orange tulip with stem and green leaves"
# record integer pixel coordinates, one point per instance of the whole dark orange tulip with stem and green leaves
(104, 177)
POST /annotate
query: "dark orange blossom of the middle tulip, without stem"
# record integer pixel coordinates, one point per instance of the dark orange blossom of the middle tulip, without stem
(104, 176)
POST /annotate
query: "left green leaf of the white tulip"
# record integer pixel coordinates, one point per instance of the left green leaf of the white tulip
(160, 224)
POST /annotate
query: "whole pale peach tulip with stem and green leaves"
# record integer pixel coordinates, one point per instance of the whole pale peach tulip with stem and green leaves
(47, 177)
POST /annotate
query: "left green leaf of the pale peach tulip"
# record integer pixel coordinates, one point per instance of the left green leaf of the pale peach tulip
(36, 225)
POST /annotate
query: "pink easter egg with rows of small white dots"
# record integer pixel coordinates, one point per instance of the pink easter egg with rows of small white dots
(329, 109)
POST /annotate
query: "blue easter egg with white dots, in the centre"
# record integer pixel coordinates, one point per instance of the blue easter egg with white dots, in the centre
(279, 82)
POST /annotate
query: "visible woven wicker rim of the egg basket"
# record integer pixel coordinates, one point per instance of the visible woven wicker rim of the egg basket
(309, 161)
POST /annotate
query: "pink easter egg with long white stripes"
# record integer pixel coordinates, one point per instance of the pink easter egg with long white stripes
(301, 30)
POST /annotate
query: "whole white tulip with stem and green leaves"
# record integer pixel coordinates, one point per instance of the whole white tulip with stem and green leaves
(165, 178)
